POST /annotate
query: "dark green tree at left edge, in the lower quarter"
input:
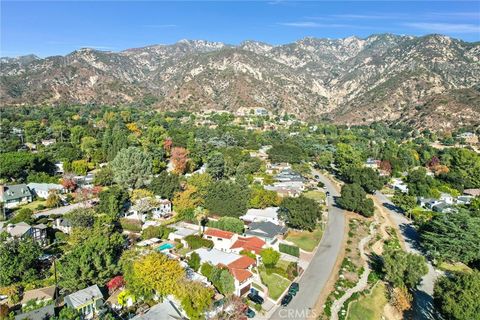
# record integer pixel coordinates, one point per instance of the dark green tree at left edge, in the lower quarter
(18, 259)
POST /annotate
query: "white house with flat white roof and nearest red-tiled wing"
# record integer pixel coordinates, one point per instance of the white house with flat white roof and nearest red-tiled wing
(238, 265)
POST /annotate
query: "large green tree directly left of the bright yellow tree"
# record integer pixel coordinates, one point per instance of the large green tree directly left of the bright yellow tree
(92, 261)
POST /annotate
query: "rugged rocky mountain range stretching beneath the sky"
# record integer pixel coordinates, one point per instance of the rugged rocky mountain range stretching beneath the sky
(431, 81)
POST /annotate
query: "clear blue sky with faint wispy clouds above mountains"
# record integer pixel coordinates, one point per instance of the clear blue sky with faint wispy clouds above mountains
(59, 27)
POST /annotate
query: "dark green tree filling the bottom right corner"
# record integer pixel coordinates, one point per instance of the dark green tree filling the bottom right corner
(456, 296)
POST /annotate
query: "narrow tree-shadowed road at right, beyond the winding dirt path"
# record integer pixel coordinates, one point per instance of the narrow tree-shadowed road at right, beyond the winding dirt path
(423, 297)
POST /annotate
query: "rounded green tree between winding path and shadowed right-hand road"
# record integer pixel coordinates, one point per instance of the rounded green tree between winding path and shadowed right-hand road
(402, 268)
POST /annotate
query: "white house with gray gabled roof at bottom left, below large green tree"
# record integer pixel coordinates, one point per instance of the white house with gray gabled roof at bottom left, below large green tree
(88, 302)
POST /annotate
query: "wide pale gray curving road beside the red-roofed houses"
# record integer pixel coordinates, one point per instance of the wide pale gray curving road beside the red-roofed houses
(316, 276)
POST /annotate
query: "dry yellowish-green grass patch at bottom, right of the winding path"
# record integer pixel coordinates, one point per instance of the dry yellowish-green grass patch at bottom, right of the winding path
(369, 307)
